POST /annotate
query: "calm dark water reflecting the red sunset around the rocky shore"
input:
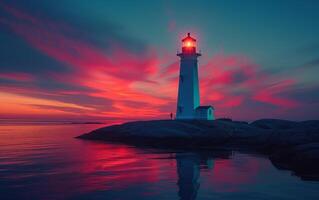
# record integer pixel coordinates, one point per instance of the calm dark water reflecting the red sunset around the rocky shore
(44, 161)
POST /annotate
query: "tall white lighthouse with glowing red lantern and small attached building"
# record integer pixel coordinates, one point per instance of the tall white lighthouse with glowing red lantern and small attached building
(188, 100)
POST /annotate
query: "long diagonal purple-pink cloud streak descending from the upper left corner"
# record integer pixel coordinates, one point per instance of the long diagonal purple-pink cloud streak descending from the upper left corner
(52, 39)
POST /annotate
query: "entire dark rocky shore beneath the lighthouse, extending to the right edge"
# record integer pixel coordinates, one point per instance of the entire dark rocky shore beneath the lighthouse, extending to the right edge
(291, 145)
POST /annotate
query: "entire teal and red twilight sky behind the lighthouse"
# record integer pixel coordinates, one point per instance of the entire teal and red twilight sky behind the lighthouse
(95, 60)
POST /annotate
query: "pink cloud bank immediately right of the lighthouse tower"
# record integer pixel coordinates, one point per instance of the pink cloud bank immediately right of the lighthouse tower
(234, 83)
